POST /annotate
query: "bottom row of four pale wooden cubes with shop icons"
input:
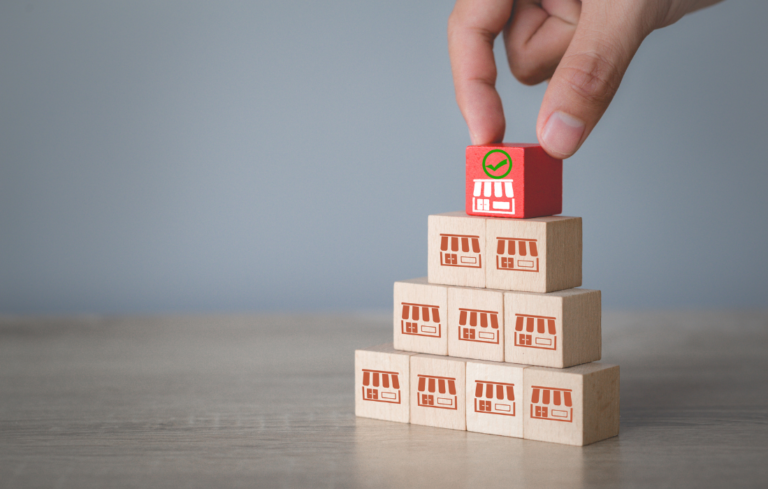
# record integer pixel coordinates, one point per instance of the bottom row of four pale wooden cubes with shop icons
(575, 406)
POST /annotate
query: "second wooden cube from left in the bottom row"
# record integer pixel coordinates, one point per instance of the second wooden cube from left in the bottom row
(438, 391)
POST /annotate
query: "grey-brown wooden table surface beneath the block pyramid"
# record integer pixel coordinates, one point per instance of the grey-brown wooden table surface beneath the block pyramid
(267, 401)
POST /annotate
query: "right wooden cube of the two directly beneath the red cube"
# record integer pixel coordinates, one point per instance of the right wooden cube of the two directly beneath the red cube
(533, 255)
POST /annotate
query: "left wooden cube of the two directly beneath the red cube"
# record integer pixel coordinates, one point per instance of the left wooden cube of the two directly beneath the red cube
(456, 244)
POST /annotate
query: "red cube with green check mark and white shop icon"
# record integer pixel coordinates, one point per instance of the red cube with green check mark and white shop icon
(513, 180)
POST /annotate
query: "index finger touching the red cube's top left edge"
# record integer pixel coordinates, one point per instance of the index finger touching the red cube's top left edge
(472, 28)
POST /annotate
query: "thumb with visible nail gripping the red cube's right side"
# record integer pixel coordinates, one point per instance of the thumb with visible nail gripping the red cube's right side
(584, 83)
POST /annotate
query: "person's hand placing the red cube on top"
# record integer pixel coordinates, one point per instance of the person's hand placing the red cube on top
(583, 48)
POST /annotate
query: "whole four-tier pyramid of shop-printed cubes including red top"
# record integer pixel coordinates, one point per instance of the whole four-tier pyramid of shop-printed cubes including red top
(499, 338)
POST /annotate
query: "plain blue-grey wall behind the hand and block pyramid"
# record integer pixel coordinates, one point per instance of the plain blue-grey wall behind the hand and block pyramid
(239, 156)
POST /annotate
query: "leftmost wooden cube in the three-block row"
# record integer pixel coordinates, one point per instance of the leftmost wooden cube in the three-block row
(421, 317)
